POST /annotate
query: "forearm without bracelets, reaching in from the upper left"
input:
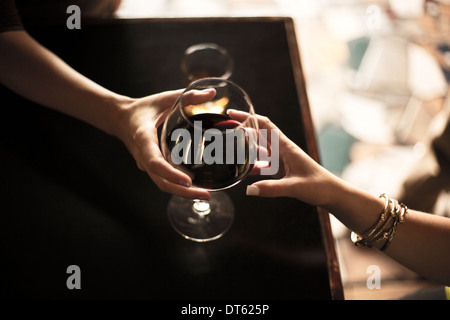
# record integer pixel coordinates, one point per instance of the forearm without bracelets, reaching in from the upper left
(34, 72)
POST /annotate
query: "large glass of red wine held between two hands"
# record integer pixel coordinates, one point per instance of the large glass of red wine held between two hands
(217, 151)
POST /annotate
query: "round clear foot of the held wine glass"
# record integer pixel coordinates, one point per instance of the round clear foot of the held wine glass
(201, 221)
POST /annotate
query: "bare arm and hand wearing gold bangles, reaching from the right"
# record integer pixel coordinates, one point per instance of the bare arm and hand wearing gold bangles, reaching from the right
(422, 243)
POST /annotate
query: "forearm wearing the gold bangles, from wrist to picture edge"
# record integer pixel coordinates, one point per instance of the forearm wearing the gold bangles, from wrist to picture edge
(422, 243)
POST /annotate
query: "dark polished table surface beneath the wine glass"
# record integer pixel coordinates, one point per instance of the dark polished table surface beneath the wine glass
(72, 195)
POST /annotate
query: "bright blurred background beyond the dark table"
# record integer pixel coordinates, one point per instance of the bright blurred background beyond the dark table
(377, 79)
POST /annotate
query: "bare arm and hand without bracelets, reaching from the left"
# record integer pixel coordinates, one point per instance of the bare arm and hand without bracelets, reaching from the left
(34, 72)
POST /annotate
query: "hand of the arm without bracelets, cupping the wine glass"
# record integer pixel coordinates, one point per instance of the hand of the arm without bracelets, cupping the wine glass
(137, 126)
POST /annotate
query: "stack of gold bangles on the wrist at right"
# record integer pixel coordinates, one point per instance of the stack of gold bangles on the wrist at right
(383, 231)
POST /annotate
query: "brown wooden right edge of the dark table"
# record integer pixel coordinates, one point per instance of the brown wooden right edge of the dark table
(337, 292)
